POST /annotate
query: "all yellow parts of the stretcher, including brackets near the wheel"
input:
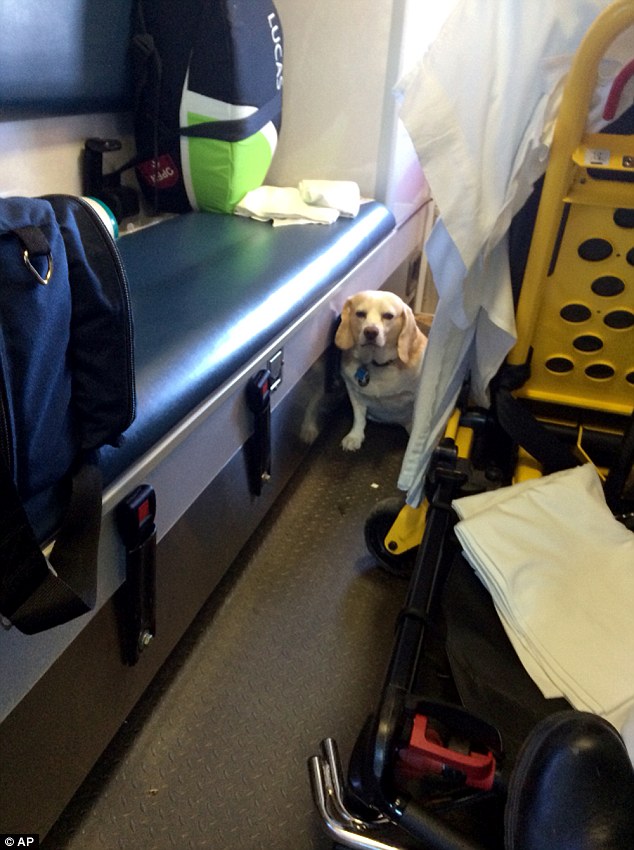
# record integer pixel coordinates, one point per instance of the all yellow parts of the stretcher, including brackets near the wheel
(567, 185)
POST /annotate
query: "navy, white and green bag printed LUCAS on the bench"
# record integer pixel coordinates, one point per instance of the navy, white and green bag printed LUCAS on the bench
(208, 81)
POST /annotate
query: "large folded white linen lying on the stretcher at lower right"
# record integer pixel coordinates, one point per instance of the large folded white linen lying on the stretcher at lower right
(560, 570)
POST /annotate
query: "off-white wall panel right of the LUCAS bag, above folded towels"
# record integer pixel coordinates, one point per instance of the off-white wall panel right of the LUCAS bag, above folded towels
(335, 64)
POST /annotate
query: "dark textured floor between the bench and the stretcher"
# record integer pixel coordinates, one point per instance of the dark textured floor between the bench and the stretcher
(292, 648)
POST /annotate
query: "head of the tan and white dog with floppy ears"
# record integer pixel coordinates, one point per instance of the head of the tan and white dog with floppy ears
(380, 326)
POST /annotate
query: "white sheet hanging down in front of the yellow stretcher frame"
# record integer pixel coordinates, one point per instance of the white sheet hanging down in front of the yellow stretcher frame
(480, 108)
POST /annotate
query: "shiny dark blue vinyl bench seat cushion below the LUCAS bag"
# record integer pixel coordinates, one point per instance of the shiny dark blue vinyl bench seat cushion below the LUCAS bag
(209, 292)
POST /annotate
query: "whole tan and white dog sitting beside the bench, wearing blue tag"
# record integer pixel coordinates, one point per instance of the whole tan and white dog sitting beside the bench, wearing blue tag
(382, 353)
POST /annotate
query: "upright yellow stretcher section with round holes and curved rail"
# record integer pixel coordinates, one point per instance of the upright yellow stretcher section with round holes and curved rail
(555, 272)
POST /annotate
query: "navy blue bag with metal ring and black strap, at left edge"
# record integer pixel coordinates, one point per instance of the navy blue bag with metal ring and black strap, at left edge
(66, 389)
